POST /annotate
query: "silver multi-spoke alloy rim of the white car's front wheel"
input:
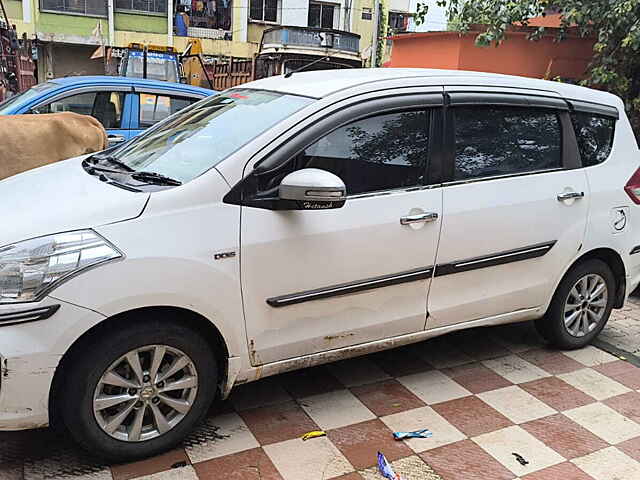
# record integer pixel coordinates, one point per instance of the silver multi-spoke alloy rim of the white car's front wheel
(145, 393)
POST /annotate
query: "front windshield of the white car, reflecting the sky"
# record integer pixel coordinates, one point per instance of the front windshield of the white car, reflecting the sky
(194, 140)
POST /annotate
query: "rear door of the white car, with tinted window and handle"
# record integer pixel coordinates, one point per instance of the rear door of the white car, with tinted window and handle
(515, 206)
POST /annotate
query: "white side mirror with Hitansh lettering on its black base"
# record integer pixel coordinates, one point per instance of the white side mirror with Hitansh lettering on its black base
(313, 189)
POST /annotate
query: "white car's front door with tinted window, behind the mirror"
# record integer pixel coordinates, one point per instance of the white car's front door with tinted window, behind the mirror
(314, 281)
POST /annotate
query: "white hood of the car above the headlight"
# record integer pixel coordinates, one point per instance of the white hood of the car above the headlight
(61, 197)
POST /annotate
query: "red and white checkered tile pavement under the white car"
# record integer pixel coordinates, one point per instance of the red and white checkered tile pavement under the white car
(486, 394)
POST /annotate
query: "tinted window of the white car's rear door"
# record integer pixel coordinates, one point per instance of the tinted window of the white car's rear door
(494, 141)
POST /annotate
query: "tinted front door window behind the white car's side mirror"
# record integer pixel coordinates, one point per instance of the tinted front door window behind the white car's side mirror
(378, 153)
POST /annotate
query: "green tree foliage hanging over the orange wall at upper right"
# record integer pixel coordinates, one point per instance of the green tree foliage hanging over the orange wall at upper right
(614, 24)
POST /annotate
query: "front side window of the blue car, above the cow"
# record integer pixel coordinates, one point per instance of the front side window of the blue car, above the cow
(106, 107)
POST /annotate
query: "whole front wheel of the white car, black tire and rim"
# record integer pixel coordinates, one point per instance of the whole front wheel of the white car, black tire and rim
(159, 415)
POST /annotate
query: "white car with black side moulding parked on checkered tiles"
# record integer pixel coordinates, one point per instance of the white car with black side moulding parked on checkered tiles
(296, 221)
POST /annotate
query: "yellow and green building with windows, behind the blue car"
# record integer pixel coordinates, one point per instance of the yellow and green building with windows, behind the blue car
(73, 36)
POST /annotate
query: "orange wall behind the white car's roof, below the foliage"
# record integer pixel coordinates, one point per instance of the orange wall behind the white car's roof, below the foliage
(515, 56)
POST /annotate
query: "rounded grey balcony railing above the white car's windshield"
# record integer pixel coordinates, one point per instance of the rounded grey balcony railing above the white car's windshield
(315, 38)
